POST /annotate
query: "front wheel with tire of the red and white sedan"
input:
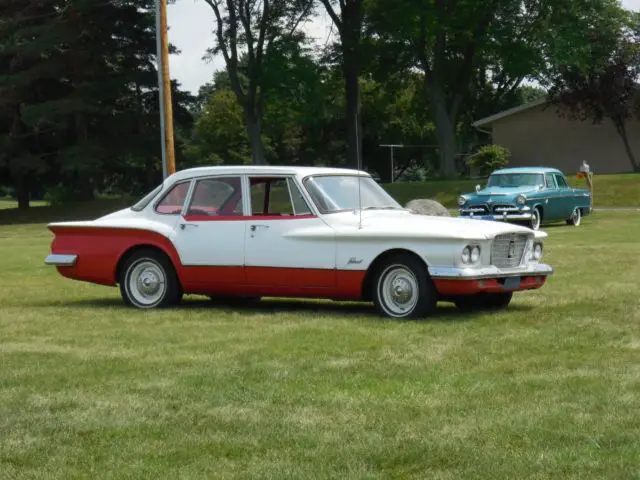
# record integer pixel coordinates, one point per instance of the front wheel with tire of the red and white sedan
(402, 288)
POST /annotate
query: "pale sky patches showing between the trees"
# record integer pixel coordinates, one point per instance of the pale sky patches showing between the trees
(191, 30)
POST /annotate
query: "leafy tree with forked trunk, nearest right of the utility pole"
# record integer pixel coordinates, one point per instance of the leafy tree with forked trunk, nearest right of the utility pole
(258, 26)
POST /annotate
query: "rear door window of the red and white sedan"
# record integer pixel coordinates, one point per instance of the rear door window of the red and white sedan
(220, 196)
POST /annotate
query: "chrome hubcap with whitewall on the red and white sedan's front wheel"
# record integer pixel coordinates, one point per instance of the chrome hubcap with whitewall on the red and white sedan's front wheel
(399, 290)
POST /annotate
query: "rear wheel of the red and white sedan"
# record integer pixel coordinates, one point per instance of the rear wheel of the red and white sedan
(148, 280)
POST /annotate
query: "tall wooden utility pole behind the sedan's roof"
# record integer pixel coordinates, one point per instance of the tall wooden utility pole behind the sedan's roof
(164, 87)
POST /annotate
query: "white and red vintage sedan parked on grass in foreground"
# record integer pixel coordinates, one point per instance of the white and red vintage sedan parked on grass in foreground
(246, 232)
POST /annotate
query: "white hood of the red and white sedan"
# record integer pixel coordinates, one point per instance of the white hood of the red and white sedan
(406, 224)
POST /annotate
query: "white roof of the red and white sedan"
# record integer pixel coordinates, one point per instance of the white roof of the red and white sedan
(262, 170)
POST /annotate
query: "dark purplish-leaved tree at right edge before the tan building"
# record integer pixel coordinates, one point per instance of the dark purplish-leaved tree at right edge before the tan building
(605, 88)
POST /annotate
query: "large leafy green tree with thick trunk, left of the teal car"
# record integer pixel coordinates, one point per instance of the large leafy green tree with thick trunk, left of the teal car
(508, 40)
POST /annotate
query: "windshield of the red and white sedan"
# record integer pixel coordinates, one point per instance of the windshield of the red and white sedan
(337, 193)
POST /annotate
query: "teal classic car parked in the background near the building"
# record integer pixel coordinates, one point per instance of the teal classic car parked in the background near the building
(531, 195)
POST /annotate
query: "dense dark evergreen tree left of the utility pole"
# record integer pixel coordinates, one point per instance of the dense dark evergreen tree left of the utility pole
(78, 95)
